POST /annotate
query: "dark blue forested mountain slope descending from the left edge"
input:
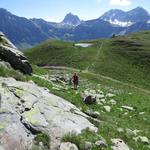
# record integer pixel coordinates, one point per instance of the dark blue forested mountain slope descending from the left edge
(20, 30)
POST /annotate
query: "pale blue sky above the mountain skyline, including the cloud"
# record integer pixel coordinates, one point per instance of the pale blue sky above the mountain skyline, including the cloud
(55, 10)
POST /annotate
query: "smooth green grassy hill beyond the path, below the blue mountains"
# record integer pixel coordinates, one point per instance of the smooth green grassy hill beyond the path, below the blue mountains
(125, 58)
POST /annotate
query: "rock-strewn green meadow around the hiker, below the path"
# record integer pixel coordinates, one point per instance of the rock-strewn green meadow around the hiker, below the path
(118, 123)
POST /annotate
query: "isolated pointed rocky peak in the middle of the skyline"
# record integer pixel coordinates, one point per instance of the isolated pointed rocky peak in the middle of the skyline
(71, 19)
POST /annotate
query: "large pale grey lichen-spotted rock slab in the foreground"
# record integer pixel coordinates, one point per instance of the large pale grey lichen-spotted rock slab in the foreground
(27, 109)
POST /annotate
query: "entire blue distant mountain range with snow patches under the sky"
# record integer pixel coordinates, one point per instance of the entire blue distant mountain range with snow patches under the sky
(28, 32)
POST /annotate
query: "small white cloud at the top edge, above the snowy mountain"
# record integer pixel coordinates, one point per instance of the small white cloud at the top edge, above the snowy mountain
(121, 2)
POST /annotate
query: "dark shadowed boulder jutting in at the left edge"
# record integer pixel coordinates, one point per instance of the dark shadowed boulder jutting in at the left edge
(9, 53)
